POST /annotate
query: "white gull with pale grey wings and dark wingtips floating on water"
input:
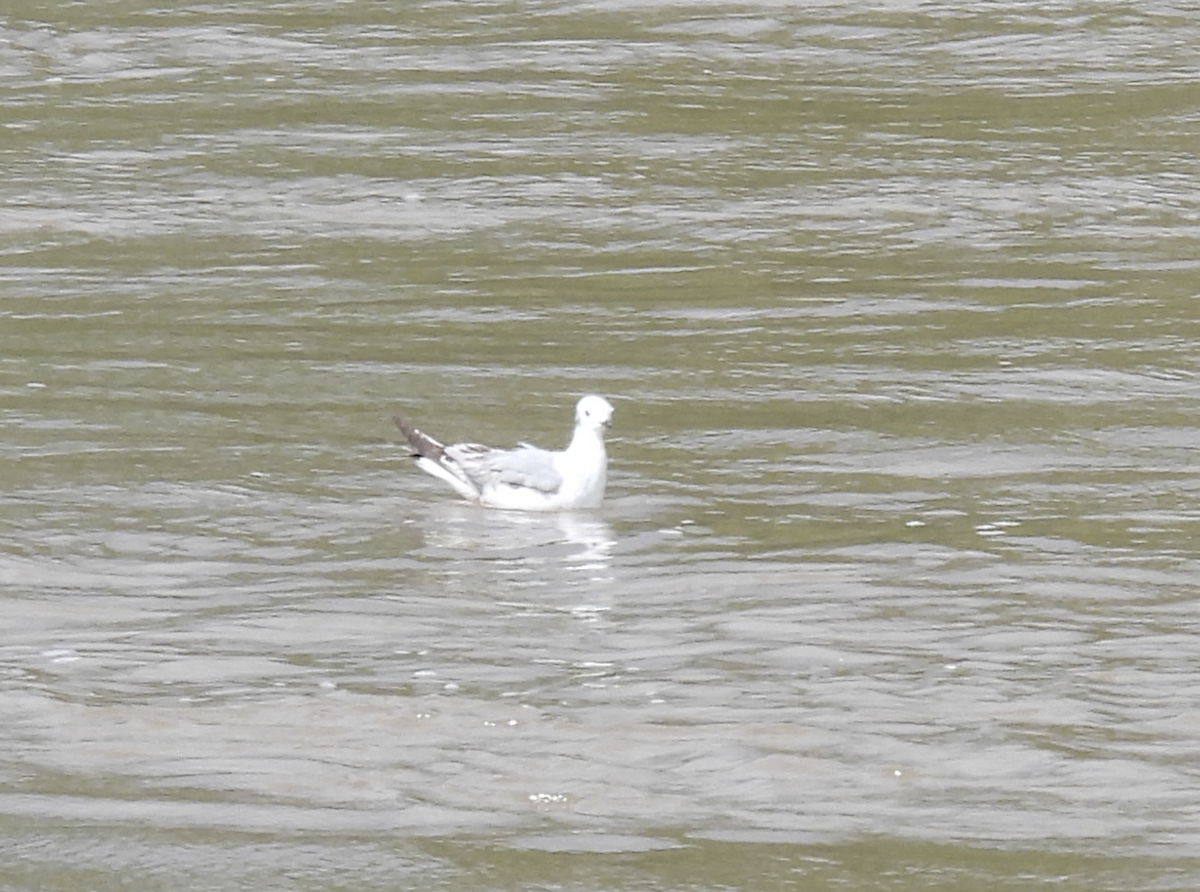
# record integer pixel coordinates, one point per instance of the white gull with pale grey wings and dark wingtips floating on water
(526, 478)
